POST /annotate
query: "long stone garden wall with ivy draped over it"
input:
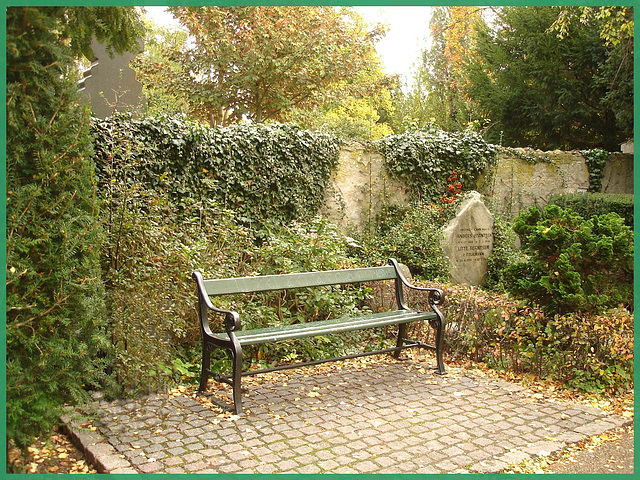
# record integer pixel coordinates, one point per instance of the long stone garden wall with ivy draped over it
(281, 172)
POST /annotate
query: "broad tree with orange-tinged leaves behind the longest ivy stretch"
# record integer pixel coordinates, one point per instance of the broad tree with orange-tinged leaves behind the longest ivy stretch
(260, 62)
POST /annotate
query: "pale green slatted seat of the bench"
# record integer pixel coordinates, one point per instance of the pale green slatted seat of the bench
(321, 327)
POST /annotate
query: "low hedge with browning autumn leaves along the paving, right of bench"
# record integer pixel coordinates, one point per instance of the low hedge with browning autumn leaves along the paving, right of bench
(590, 353)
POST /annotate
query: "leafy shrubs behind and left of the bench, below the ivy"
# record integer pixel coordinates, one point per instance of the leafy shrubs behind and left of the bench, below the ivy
(151, 250)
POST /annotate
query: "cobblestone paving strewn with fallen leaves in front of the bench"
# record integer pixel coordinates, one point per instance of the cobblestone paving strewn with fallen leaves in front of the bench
(391, 417)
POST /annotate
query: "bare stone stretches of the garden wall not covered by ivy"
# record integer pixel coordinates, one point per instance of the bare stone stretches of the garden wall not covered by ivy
(361, 185)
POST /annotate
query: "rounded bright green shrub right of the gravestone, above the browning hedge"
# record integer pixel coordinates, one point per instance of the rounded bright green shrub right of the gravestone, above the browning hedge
(574, 265)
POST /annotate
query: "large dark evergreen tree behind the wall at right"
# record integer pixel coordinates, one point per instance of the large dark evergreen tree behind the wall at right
(541, 90)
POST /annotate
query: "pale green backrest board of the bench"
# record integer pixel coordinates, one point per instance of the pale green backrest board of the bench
(264, 283)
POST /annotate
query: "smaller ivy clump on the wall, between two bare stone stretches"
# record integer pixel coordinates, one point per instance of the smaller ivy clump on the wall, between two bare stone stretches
(426, 160)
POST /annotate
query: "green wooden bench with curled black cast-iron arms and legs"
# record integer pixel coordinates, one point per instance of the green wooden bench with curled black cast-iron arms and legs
(235, 337)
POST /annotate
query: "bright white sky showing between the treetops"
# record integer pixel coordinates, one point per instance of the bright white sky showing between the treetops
(398, 50)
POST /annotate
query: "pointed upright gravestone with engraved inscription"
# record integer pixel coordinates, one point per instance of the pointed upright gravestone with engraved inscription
(468, 241)
